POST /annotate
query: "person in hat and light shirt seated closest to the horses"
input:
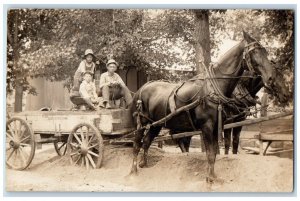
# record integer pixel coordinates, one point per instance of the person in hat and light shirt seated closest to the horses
(109, 81)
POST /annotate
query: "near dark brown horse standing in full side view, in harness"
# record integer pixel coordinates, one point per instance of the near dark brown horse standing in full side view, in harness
(151, 100)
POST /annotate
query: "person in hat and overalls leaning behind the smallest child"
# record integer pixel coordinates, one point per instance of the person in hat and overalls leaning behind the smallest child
(86, 64)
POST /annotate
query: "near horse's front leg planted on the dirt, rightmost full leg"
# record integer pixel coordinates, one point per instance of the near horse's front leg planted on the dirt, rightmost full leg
(210, 133)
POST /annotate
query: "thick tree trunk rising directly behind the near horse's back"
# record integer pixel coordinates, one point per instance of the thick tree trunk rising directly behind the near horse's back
(202, 40)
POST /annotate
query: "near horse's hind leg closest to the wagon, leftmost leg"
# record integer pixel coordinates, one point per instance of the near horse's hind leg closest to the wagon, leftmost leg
(137, 144)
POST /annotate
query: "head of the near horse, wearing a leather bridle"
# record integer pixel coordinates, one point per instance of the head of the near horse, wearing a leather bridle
(256, 59)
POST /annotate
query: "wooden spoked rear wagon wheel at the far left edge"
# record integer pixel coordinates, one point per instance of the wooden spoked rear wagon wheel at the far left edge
(20, 144)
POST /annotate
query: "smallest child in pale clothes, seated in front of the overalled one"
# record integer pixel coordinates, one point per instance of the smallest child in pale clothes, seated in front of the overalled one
(87, 91)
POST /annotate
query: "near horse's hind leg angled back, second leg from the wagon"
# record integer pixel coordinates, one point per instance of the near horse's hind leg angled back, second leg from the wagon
(147, 140)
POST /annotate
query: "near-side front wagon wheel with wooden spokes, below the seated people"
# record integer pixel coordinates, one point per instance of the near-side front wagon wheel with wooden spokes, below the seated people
(85, 146)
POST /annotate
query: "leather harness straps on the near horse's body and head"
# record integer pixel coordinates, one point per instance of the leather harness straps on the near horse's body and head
(222, 99)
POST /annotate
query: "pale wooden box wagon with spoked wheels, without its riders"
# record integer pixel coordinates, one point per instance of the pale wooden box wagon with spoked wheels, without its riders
(80, 132)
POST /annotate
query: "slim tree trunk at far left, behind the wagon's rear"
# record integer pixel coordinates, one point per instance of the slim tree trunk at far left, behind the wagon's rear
(18, 82)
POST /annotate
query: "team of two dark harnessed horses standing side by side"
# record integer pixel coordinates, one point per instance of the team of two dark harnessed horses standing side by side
(248, 60)
